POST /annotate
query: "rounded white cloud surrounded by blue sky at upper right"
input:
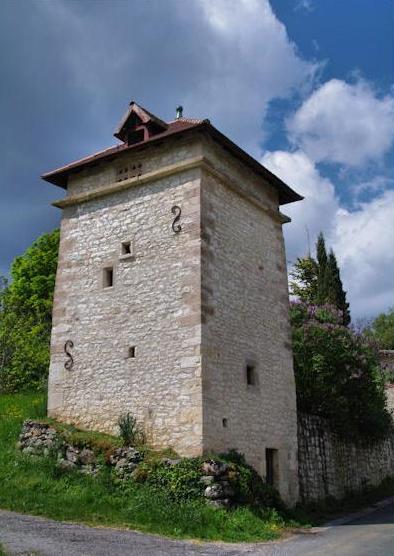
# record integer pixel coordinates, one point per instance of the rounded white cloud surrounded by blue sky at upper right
(344, 123)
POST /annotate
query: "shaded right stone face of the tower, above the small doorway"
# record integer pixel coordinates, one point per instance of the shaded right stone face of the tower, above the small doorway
(245, 322)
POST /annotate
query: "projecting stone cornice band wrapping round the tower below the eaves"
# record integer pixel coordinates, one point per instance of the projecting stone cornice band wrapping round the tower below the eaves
(201, 162)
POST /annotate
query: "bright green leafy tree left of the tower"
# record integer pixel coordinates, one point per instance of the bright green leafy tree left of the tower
(26, 316)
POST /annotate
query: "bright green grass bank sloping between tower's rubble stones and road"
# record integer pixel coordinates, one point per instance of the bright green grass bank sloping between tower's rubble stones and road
(35, 486)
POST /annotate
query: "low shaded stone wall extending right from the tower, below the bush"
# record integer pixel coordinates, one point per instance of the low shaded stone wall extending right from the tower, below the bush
(328, 466)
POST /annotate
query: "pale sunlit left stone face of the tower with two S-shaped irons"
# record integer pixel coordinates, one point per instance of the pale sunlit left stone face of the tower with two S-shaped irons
(154, 305)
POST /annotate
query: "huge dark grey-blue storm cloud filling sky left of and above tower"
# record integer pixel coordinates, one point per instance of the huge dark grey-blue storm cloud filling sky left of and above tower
(70, 68)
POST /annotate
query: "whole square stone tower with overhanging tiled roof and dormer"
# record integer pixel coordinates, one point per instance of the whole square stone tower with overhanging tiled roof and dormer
(171, 298)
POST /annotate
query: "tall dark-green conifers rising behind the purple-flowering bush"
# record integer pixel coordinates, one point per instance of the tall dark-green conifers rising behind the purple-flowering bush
(318, 281)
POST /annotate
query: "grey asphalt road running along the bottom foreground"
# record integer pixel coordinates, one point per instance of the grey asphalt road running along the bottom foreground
(369, 535)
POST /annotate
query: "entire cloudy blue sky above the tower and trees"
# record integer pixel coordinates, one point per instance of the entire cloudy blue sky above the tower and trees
(305, 86)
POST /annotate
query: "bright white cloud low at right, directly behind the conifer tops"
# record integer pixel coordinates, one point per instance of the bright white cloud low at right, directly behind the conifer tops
(362, 239)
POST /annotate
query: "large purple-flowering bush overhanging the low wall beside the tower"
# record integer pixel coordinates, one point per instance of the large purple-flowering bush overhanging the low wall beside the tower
(337, 373)
